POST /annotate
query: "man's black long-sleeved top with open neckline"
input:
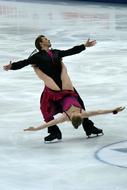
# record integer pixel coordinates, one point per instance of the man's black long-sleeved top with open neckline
(50, 66)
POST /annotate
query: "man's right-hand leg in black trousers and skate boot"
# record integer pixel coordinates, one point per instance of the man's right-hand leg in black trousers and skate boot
(87, 124)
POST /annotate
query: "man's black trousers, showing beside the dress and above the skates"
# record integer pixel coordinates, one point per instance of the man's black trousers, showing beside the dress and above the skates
(86, 122)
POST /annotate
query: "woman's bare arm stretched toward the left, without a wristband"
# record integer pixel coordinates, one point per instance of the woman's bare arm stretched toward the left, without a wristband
(60, 119)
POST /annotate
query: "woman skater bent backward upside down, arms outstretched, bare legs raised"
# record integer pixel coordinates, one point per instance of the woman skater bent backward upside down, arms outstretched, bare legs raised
(68, 99)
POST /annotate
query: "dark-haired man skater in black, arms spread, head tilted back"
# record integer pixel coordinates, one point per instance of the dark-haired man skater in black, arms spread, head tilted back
(49, 62)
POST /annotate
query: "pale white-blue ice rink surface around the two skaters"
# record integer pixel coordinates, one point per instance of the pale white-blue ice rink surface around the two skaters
(99, 74)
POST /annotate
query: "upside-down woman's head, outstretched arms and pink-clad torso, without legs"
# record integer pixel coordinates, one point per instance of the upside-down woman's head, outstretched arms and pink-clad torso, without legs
(72, 111)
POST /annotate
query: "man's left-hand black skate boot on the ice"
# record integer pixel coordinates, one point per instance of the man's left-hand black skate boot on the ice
(52, 137)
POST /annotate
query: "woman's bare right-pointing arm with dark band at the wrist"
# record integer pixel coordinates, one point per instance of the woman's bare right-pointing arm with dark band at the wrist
(86, 114)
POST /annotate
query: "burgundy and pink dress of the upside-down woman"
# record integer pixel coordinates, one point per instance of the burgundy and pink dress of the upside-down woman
(50, 99)
